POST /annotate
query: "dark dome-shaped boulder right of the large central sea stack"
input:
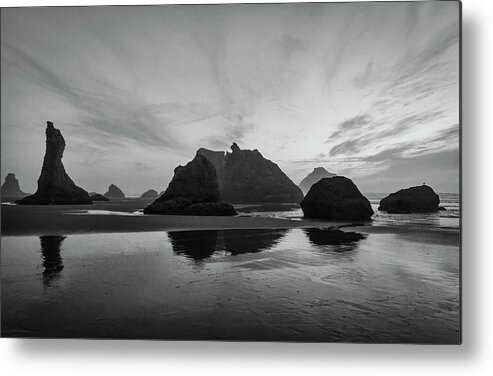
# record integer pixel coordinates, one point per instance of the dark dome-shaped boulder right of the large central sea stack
(336, 198)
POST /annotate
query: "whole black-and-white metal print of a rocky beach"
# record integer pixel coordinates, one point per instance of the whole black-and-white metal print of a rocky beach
(267, 172)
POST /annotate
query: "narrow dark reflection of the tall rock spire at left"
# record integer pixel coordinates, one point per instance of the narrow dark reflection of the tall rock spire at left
(52, 261)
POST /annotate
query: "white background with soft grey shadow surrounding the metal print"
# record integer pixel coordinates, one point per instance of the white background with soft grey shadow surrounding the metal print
(90, 357)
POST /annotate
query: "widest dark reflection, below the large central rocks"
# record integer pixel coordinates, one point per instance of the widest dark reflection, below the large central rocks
(200, 245)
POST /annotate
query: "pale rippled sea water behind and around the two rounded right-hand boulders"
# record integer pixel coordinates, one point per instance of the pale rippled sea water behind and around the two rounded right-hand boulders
(448, 219)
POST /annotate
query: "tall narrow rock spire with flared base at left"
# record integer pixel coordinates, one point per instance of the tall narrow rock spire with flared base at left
(54, 185)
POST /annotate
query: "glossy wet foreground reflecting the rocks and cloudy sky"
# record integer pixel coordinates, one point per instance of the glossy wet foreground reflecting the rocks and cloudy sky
(269, 284)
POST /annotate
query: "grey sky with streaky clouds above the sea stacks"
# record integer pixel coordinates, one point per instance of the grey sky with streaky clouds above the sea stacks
(366, 90)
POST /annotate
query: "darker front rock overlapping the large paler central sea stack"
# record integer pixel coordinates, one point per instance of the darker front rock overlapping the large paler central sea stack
(194, 190)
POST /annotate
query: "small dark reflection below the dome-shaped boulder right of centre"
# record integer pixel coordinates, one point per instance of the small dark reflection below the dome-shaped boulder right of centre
(333, 240)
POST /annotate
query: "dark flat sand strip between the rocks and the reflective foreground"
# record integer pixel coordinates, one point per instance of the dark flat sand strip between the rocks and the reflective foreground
(37, 221)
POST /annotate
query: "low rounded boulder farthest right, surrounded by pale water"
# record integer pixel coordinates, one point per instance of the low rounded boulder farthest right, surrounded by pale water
(419, 199)
